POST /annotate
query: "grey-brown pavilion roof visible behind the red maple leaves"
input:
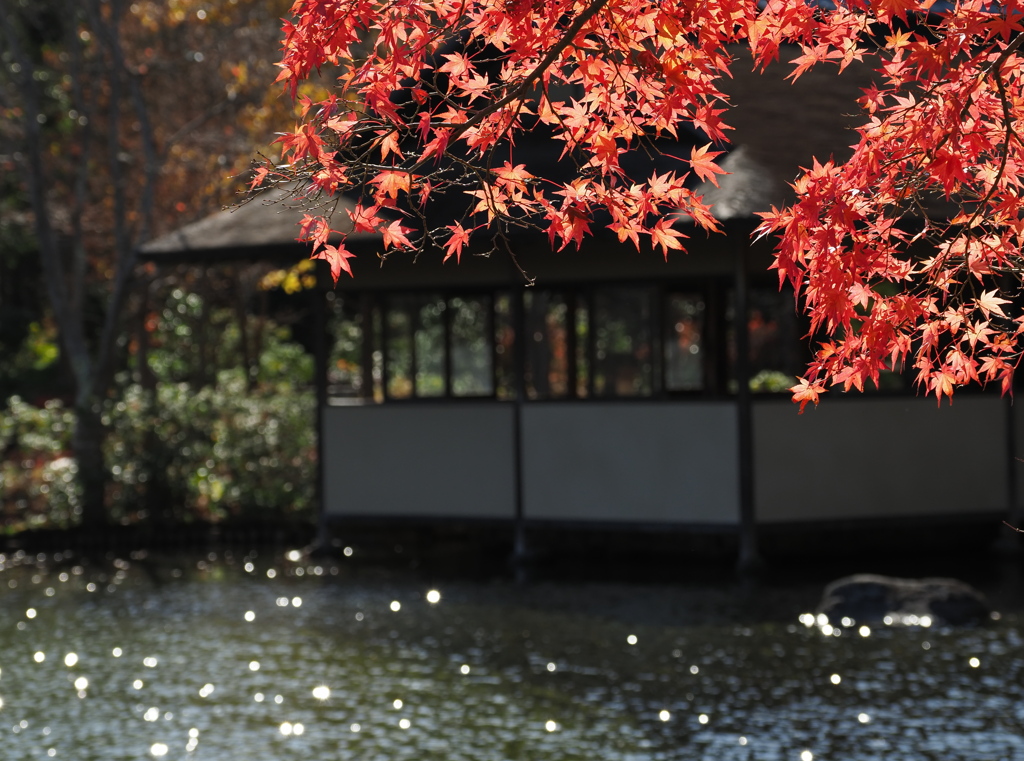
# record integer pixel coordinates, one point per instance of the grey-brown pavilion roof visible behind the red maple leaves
(779, 128)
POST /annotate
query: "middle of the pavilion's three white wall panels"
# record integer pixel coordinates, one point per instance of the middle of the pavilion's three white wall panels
(638, 462)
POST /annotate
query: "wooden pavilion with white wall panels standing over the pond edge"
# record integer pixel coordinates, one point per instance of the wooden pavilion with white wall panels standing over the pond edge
(621, 391)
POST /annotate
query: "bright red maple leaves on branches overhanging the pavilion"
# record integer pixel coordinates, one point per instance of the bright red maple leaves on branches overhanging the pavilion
(908, 256)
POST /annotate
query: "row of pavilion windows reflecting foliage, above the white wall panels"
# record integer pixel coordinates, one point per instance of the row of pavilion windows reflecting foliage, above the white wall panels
(605, 343)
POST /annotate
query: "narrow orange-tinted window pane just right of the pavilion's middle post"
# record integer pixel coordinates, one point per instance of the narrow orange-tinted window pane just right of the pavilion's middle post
(546, 317)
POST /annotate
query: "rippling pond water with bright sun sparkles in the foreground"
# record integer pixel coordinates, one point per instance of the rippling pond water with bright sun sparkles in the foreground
(261, 659)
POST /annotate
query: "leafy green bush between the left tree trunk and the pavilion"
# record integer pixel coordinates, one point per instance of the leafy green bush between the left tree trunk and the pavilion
(181, 454)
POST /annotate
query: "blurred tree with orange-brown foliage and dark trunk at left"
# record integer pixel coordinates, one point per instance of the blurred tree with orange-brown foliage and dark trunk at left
(107, 108)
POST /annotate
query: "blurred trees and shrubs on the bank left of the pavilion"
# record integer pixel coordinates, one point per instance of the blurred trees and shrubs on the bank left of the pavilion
(120, 122)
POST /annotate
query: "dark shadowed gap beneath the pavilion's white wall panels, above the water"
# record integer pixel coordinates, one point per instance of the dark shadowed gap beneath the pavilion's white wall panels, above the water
(794, 553)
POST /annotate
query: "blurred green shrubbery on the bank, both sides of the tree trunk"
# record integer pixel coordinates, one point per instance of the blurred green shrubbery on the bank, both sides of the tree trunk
(197, 444)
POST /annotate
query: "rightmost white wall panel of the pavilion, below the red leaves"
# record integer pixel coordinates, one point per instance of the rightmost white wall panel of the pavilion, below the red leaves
(867, 458)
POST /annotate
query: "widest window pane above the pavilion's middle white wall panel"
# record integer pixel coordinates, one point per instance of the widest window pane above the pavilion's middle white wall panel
(622, 343)
